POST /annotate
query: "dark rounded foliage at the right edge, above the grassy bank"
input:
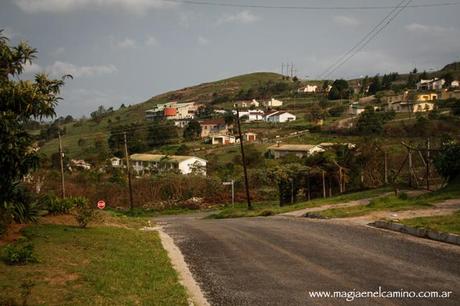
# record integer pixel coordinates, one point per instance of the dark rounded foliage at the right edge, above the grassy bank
(447, 161)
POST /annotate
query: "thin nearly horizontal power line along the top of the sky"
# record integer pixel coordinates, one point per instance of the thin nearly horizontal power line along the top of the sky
(298, 7)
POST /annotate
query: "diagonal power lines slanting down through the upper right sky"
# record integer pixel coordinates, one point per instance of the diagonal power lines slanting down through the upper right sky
(366, 39)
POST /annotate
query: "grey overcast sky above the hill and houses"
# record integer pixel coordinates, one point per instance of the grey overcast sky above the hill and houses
(126, 51)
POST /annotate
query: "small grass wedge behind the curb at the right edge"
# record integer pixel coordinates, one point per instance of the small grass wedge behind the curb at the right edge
(447, 224)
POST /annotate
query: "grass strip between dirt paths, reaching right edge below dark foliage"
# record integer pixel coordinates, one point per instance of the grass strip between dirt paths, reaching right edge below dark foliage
(393, 203)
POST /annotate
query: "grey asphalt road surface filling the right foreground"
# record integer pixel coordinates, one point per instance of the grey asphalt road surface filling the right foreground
(279, 260)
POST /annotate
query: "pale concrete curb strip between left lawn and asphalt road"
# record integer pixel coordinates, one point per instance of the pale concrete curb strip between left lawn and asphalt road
(185, 276)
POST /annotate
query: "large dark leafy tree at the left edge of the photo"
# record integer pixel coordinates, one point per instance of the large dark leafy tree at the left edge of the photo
(21, 101)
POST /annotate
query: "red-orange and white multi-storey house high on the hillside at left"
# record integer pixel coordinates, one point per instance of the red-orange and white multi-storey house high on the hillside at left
(172, 111)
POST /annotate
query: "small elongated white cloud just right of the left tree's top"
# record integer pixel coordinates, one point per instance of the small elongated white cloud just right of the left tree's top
(58, 69)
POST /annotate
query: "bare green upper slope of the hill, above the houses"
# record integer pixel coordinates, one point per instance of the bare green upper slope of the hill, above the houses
(91, 130)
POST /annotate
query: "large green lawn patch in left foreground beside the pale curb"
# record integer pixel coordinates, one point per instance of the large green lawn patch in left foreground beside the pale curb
(111, 264)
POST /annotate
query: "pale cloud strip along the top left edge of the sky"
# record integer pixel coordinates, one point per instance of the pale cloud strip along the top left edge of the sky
(62, 6)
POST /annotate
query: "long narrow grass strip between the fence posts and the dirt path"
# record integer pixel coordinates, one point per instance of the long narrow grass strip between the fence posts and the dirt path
(272, 208)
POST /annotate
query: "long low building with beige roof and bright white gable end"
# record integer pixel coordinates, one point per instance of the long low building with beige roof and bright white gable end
(147, 163)
